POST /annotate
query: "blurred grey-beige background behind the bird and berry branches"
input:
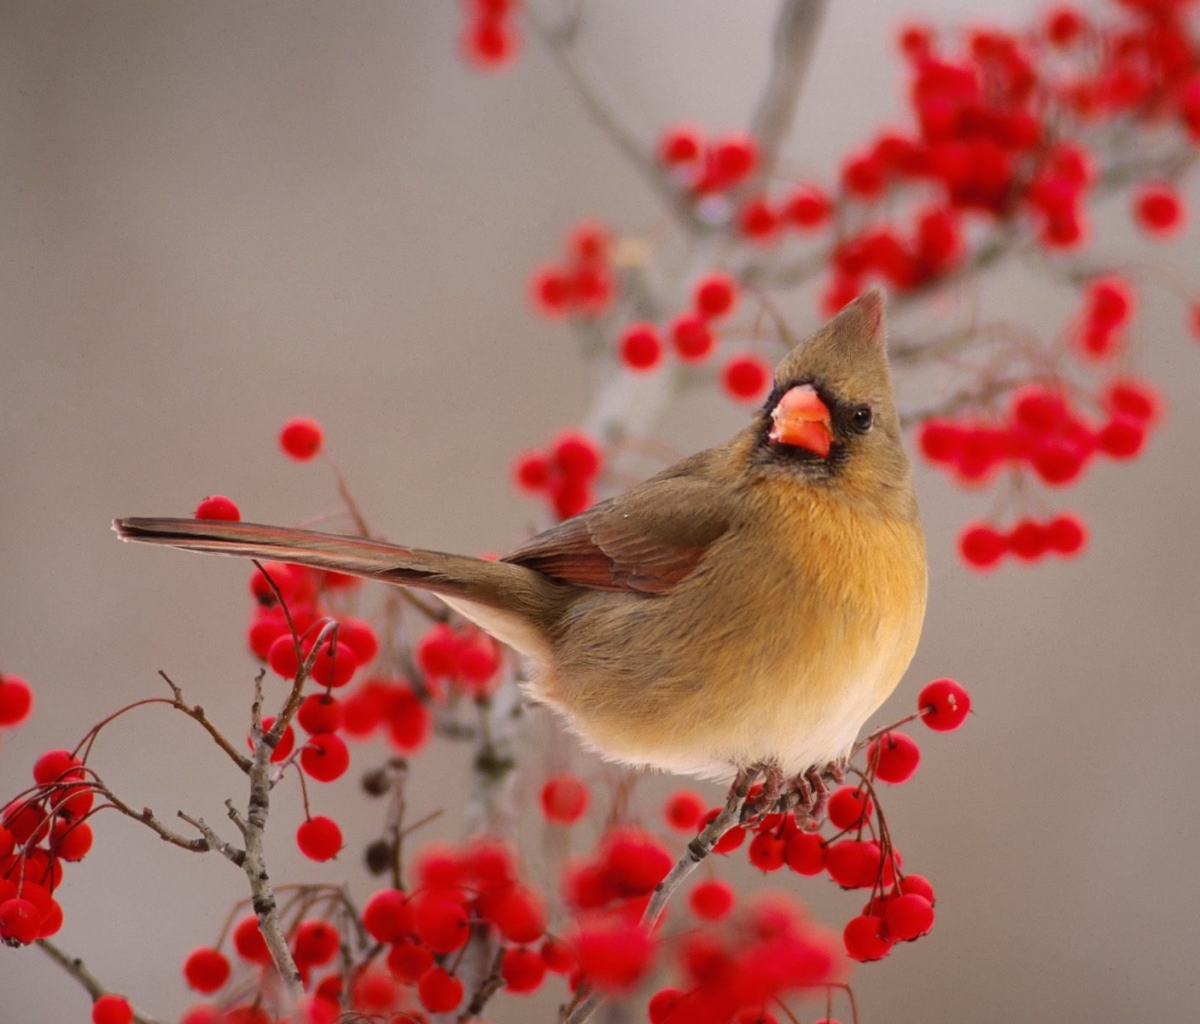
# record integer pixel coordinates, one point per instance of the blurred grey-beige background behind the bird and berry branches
(219, 215)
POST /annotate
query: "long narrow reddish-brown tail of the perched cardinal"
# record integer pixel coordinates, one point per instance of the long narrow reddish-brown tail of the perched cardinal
(496, 585)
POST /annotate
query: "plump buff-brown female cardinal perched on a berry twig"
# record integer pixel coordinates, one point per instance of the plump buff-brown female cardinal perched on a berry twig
(752, 606)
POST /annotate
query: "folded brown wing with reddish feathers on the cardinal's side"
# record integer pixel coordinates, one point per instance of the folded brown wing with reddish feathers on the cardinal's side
(646, 541)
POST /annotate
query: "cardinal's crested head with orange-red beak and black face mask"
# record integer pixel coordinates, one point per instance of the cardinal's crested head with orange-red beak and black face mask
(831, 416)
